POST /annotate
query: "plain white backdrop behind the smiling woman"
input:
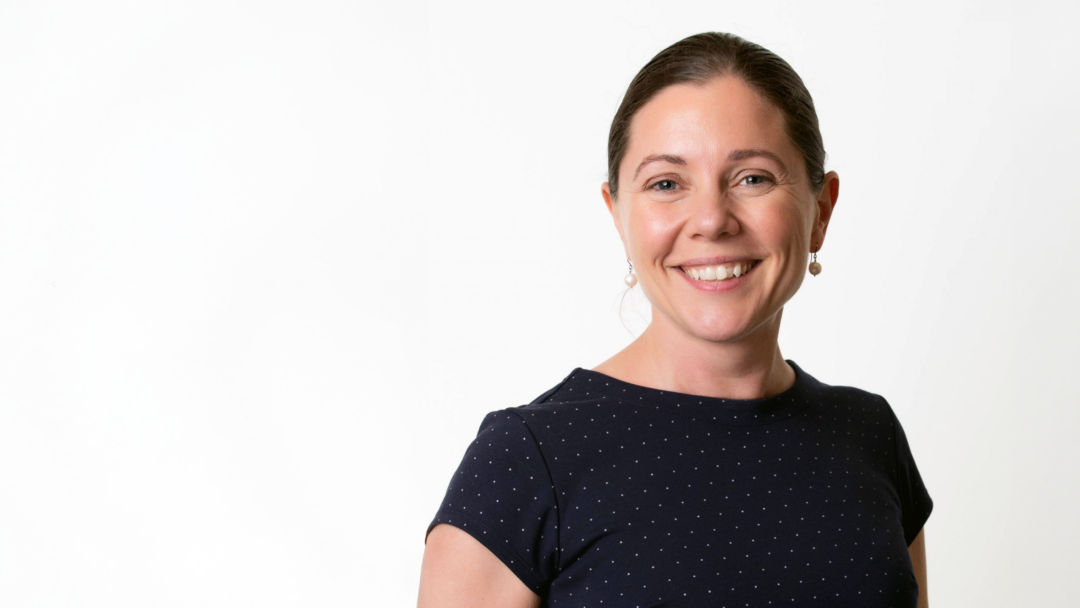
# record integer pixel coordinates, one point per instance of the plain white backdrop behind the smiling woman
(265, 266)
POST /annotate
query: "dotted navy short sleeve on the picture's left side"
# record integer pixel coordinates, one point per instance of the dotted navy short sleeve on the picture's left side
(503, 495)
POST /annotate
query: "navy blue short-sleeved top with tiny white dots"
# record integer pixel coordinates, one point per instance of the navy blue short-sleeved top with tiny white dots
(603, 493)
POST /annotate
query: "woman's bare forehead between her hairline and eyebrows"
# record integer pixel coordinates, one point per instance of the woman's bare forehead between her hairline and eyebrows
(706, 121)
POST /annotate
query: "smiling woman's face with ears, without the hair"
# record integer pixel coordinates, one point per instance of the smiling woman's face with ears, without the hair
(710, 182)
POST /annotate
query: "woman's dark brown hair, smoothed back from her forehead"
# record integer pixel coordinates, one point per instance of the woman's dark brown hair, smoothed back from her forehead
(699, 59)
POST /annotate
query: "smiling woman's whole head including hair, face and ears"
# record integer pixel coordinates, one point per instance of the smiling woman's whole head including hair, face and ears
(717, 161)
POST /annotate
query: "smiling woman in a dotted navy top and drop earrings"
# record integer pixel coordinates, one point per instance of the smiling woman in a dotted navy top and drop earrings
(697, 467)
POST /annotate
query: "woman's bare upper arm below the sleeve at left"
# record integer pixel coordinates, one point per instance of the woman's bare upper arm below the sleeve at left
(458, 572)
